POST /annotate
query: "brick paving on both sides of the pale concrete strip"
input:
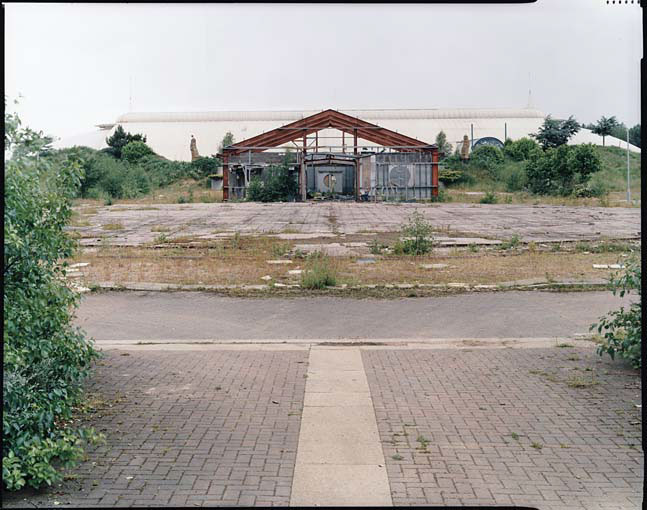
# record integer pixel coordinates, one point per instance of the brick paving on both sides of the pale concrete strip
(220, 426)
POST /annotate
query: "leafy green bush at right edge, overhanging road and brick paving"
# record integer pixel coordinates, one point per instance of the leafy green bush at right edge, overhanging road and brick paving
(623, 328)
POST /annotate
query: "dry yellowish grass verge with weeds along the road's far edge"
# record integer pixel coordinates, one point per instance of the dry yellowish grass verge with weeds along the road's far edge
(244, 261)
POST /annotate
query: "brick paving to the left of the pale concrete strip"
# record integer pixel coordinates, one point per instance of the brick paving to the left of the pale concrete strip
(191, 429)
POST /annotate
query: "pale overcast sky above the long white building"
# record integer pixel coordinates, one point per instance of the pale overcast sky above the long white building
(74, 63)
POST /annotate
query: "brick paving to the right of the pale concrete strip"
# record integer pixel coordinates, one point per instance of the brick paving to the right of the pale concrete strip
(449, 421)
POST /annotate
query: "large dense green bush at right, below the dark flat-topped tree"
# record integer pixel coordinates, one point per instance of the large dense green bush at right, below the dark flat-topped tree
(561, 170)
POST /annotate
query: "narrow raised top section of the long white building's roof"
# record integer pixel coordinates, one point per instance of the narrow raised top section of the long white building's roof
(291, 115)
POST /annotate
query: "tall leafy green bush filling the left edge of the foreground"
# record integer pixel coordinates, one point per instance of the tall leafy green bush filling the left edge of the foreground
(45, 357)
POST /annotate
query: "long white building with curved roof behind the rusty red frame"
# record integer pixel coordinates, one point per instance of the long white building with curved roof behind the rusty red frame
(169, 133)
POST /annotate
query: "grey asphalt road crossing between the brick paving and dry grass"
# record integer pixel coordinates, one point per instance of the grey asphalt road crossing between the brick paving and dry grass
(203, 316)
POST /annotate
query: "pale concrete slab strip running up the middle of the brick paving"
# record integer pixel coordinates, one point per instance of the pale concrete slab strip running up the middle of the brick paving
(340, 461)
